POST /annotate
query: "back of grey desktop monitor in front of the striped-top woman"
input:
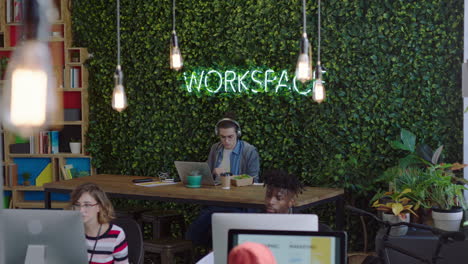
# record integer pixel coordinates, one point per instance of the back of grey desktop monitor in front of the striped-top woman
(61, 232)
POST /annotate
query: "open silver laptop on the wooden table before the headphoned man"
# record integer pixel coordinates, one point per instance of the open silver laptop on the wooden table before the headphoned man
(185, 168)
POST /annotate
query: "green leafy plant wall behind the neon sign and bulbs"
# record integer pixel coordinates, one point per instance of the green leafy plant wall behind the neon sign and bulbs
(390, 65)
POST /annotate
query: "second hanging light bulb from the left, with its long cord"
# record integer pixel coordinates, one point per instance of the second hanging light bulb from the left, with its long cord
(119, 99)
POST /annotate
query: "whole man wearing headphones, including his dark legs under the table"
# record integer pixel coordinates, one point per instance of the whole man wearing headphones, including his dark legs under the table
(229, 155)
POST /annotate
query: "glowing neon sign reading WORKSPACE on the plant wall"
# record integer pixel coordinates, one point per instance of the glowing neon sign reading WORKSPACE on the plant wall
(211, 81)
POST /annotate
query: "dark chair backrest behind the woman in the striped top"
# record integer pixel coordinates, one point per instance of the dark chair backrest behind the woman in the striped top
(134, 239)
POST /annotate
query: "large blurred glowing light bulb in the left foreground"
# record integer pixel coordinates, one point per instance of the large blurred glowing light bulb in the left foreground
(30, 100)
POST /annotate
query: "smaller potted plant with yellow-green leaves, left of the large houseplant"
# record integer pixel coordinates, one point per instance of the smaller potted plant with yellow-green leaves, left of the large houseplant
(396, 207)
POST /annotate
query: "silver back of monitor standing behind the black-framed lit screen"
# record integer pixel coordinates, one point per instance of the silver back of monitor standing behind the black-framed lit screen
(223, 222)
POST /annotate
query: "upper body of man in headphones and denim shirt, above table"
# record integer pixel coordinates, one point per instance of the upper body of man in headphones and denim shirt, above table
(232, 154)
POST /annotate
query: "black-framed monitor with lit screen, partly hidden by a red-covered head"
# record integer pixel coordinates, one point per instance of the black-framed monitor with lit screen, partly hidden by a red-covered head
(298, 247)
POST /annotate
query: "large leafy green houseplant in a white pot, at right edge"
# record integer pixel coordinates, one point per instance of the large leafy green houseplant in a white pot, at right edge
(433, 184)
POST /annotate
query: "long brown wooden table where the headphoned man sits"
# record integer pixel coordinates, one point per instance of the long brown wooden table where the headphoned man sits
(252, 196)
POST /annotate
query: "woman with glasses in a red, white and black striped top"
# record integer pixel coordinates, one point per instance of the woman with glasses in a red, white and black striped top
(105, 241)
